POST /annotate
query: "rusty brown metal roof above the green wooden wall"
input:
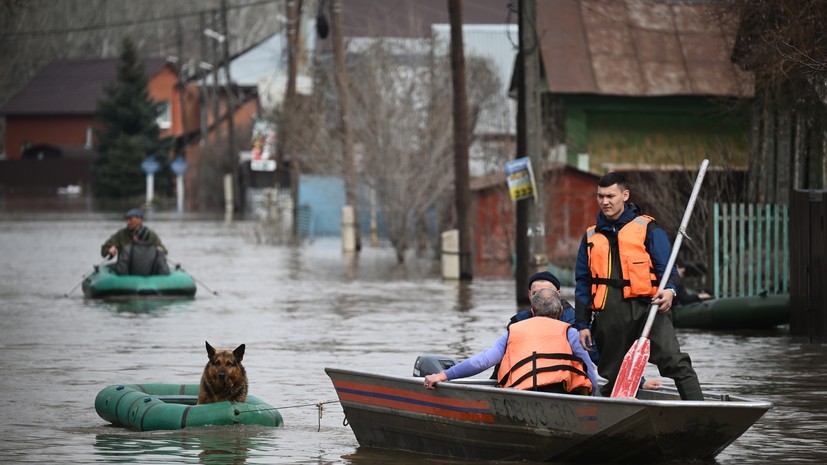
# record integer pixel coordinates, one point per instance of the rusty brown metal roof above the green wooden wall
(639, 48)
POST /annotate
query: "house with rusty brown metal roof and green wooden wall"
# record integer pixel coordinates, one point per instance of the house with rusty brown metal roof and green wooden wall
(642, 83)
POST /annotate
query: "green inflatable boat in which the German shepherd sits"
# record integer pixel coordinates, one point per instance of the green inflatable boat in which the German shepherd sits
(150, 407)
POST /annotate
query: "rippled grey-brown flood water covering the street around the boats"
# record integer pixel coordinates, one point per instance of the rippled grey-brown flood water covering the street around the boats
(298, 310)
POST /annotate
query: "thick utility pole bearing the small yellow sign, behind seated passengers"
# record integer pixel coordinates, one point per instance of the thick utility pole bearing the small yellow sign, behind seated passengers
(531, 230)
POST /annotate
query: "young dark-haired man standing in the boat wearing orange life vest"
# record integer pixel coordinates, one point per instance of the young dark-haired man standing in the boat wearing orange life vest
(619, 266)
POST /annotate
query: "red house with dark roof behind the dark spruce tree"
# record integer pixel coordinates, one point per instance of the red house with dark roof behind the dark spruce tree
(52, 118)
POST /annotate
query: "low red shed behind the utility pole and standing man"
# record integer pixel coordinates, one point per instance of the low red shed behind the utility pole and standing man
(571, 207)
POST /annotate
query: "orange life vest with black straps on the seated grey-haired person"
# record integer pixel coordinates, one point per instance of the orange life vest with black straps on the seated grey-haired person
(538, 353)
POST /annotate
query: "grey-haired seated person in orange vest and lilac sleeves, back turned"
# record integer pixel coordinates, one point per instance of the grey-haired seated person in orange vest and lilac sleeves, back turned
(540, 353)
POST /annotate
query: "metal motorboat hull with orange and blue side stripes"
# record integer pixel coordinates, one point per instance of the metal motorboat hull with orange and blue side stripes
(475, 420)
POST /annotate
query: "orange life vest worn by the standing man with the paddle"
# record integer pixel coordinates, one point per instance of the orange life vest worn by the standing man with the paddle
(638, 274)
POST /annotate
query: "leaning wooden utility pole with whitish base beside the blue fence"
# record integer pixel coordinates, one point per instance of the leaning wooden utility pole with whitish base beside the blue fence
(344, 108)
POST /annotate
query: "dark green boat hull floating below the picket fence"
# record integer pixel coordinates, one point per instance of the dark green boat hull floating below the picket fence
(753, 312)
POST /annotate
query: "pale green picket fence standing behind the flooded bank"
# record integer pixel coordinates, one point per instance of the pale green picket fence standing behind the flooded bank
(750, 249)
